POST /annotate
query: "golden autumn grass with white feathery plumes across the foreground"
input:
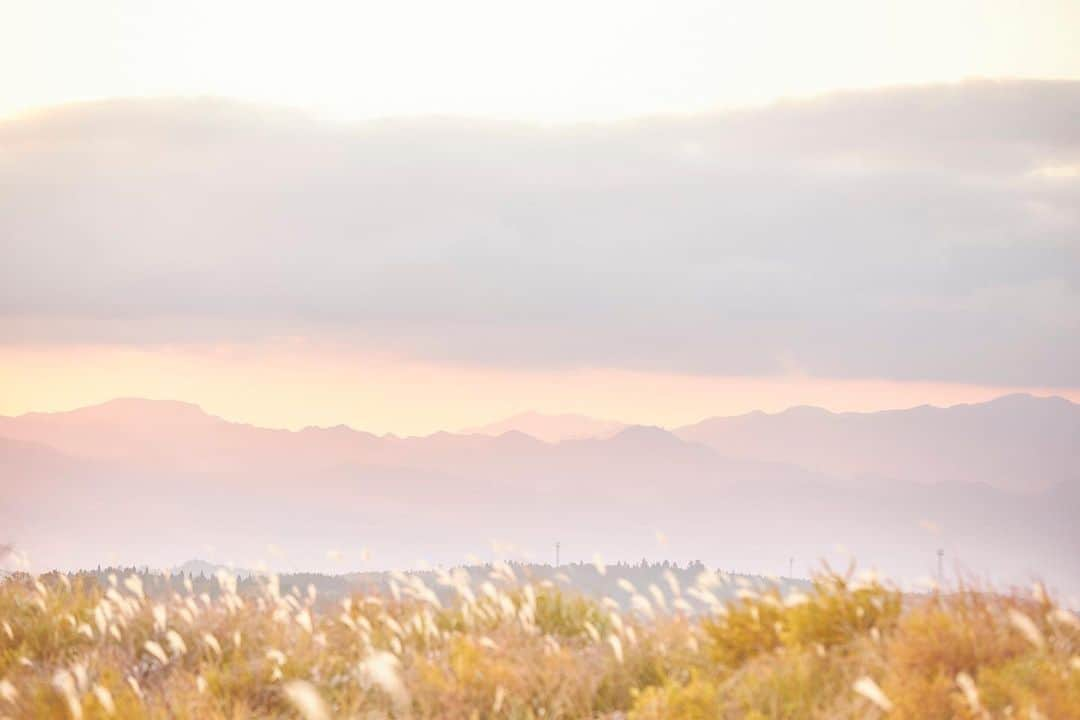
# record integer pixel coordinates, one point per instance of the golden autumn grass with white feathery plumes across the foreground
(506, 648)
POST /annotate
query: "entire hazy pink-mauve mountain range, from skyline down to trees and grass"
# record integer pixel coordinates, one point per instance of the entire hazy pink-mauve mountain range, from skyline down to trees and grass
(153, 482)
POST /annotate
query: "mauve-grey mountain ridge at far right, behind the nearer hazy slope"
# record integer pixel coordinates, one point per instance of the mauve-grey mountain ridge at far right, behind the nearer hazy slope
(1020, 443)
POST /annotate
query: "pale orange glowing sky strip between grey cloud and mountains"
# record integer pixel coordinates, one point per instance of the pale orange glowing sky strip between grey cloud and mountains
(293, 385)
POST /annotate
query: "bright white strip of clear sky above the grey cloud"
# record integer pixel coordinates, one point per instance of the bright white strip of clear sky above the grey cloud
(557, 61)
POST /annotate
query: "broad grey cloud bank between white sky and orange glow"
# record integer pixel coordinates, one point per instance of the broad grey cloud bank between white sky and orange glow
(922, 234)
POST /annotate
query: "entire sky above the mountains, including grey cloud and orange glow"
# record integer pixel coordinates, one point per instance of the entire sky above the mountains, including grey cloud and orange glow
(412, 216)
